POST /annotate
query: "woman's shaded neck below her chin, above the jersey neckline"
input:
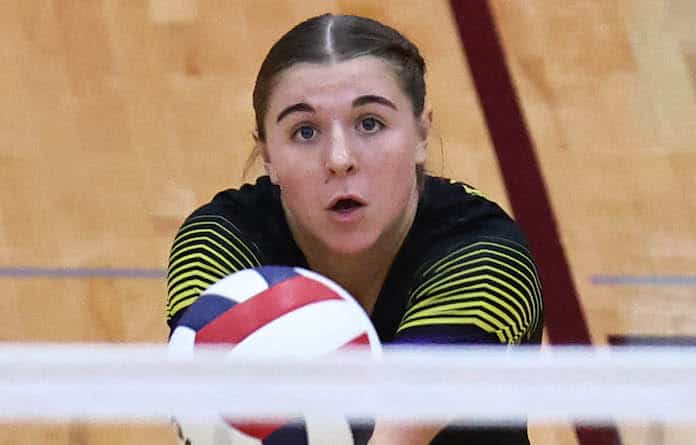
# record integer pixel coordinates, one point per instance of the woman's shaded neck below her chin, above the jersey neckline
(362, 274)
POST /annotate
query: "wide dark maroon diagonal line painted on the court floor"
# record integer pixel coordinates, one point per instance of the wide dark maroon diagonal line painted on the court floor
(564, 319)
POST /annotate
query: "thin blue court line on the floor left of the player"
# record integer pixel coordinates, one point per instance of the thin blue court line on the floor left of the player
(85, 272)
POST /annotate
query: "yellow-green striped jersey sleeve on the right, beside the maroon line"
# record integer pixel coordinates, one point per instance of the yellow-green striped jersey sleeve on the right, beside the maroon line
(485, 291)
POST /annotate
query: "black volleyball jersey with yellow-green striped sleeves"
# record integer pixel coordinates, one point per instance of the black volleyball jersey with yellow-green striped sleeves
(463, 275)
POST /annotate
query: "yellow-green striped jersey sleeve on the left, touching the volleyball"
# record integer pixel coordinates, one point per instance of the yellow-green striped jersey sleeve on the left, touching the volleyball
(206, 249)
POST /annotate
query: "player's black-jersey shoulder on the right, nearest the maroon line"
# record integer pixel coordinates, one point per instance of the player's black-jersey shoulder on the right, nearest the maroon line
(475, 275)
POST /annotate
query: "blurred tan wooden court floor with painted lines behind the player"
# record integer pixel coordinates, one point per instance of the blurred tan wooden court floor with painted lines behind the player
(117, 119)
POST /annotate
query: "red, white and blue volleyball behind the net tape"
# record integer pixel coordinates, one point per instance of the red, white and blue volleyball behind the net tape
(274, 311)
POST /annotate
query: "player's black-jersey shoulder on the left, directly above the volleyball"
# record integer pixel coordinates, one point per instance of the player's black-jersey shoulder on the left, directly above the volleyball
(230, 233)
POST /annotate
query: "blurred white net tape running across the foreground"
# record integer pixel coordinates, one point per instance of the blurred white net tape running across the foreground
(49, 382)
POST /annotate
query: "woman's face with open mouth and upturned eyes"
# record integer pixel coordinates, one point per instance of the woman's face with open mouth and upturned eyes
(342, 143)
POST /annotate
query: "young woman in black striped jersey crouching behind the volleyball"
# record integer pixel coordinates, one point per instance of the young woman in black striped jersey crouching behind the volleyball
(342, 127)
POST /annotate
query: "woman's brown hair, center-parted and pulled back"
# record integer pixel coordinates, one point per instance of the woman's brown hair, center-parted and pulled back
(336, 38)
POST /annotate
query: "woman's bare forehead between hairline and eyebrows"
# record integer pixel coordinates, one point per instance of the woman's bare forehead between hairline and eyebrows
(333, 84)
